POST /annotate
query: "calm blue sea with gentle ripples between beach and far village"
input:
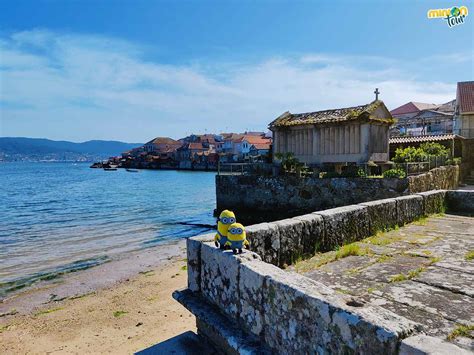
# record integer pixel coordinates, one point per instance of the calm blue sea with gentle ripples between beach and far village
(57, 218)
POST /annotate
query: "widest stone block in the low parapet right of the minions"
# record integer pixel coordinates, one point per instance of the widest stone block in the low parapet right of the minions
(344, 225)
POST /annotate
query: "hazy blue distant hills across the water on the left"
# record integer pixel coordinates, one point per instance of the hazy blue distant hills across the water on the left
(35, 149)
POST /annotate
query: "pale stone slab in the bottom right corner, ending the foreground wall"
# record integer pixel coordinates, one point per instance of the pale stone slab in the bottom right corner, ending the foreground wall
(426, 345)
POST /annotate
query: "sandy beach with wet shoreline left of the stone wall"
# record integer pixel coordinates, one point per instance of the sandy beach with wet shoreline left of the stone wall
(120, 307)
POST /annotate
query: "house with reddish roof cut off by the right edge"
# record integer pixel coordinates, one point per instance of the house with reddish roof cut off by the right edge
(464, 125)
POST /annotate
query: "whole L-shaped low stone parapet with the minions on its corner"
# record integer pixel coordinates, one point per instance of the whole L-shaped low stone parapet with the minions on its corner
(246, 303)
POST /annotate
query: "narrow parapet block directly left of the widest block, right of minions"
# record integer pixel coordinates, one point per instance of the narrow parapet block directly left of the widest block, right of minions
(312, 233)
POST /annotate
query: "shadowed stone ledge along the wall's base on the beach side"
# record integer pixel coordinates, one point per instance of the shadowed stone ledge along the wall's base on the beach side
(222, 333)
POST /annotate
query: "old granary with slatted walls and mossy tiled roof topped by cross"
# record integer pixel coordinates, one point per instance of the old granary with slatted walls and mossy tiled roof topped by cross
(341, 136)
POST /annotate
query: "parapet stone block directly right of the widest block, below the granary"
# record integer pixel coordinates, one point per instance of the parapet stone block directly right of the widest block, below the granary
(382, 214)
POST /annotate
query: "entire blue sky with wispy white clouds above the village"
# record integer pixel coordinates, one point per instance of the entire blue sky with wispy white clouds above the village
(132, 70)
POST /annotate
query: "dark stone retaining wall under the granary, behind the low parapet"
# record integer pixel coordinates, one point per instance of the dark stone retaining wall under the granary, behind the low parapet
(258, 199)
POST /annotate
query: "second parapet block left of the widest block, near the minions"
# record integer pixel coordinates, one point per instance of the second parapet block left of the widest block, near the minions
(291, 246)
